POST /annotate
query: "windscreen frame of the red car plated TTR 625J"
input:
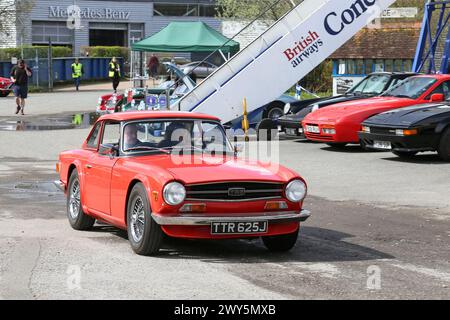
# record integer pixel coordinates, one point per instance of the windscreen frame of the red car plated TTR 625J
(228, 149)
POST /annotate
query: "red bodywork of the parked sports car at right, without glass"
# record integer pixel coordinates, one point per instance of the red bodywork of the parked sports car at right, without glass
(346, 118)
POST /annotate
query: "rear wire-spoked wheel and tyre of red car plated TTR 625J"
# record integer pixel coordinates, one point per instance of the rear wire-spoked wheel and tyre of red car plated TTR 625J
(77, 218)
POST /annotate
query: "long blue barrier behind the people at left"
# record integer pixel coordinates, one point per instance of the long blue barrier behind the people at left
(94, 69)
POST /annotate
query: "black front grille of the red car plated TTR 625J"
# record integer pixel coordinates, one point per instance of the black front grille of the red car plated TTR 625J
(234, 191)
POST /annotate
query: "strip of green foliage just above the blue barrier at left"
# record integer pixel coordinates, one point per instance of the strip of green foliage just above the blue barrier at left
(29, 52)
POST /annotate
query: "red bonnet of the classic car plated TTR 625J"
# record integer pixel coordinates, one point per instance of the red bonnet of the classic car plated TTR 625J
(203, 168)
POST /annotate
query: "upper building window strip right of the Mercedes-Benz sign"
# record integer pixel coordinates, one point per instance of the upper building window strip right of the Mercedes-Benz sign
(184, 10)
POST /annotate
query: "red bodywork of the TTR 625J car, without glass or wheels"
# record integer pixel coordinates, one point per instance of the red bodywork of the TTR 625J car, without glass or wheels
(106, 185)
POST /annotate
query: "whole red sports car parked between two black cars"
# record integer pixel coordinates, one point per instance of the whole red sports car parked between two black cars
(339, 124)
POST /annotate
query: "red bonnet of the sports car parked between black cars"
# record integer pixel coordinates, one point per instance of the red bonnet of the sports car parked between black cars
(334, 112)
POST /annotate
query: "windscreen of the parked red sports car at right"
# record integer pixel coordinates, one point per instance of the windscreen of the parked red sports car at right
(411, 88)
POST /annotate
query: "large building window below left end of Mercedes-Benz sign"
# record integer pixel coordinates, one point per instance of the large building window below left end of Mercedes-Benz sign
(57, 32)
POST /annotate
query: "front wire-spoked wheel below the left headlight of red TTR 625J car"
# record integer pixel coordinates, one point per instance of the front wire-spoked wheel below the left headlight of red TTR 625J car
(144, 234)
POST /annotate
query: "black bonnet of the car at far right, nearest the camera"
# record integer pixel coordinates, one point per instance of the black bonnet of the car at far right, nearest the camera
(409, 116)
